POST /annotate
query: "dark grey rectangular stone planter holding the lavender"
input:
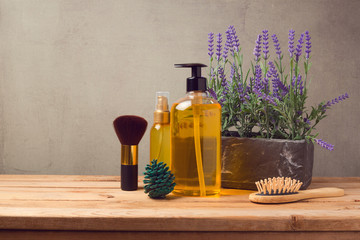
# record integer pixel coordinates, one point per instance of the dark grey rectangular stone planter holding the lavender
(247, 160)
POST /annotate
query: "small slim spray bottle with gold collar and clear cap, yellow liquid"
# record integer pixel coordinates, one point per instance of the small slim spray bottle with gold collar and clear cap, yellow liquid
(160, 131)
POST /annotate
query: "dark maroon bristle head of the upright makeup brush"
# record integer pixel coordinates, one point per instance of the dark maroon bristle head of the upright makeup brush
(130, 129)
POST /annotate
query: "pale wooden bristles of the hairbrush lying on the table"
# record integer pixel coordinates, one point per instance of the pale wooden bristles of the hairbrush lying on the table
(279, 185)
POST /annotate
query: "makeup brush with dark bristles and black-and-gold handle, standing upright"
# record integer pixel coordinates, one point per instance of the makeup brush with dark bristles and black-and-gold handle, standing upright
(129, 129)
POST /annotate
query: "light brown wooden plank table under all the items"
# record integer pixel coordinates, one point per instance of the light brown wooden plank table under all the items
(94, 207)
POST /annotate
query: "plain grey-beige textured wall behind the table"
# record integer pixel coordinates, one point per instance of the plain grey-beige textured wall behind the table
(68, 68)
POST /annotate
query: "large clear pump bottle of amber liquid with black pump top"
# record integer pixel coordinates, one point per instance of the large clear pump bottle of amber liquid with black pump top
(195, 134)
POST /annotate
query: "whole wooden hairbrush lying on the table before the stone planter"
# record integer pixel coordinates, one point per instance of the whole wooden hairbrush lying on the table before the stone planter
(283, 190)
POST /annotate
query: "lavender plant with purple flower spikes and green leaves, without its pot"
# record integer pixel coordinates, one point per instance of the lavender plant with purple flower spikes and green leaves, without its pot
(265, 101)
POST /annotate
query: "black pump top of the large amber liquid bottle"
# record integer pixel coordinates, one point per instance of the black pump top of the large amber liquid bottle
(195, 82)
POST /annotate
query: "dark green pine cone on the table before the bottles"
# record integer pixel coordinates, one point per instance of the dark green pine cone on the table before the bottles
(159, 181)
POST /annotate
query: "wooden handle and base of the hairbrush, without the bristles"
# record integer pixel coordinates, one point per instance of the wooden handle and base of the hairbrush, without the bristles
(312, 193)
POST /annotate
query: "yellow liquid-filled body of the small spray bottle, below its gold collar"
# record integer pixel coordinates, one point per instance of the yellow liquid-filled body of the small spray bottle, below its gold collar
(160, 142)
